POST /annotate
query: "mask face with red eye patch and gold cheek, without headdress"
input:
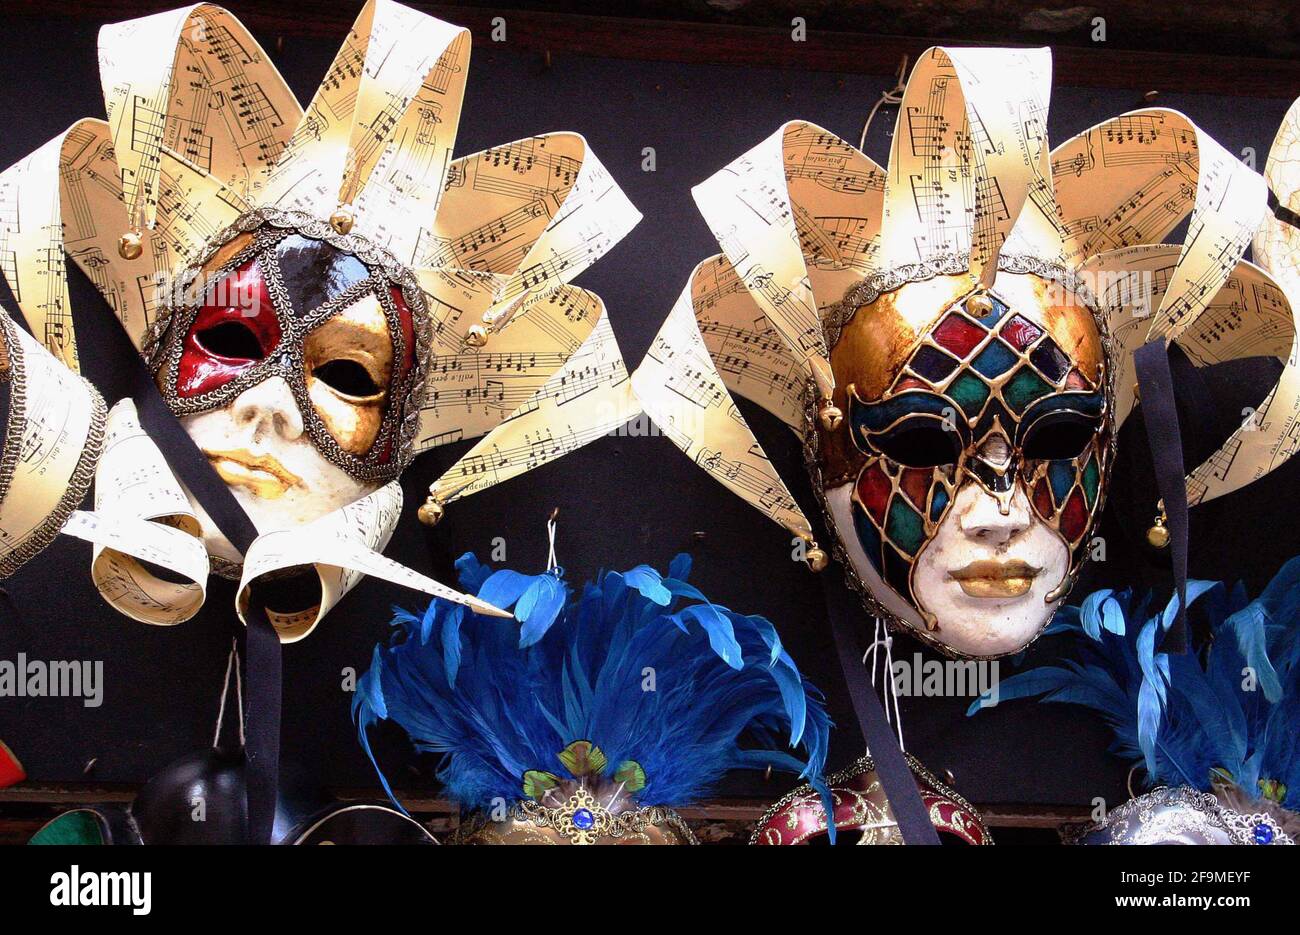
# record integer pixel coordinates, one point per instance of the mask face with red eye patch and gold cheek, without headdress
(293, 357)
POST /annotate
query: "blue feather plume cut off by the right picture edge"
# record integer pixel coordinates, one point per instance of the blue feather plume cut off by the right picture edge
(1230, 712)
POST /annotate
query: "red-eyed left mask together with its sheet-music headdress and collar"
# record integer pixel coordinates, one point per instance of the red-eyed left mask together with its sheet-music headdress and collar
(320, 295)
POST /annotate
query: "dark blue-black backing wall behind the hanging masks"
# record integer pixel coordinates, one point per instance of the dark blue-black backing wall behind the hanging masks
(623, 501)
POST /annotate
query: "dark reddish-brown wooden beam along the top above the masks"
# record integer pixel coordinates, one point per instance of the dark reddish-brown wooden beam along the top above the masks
(725, 45)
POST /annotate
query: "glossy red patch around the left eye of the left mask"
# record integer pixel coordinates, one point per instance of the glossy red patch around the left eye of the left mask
(233, 331)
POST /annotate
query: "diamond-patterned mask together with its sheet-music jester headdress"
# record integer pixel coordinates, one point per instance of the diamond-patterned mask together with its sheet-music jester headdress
(952, 337)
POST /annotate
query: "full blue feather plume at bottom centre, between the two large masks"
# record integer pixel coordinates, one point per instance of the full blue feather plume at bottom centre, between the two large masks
(642, 665)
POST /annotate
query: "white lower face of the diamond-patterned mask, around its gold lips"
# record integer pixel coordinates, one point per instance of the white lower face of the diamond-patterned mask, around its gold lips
(969, 626)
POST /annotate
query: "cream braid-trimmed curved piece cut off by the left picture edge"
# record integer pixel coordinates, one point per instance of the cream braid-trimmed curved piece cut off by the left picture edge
(53, 436)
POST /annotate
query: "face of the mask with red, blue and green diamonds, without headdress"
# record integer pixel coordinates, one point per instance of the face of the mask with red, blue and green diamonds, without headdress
(978, 448)
